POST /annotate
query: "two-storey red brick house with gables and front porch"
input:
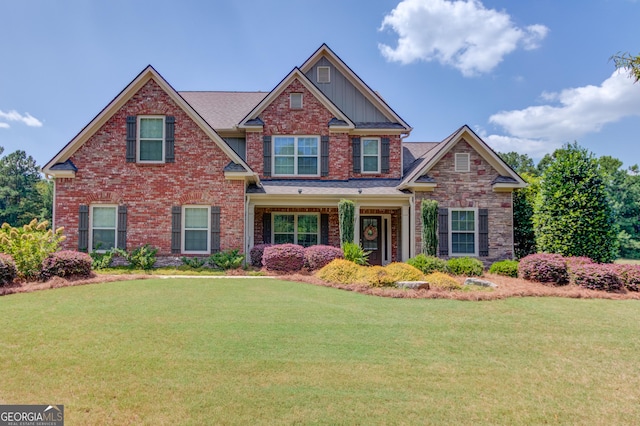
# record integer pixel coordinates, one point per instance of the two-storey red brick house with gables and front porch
(192, 173)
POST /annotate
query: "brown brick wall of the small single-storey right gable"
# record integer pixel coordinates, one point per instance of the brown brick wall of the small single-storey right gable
(471, 189)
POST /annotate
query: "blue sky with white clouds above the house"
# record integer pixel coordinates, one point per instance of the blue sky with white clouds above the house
(527, 76)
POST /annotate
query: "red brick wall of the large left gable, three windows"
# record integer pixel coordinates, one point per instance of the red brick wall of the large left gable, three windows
(149, 191)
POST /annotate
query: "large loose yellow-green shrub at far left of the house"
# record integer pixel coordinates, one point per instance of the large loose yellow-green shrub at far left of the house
(29, 245)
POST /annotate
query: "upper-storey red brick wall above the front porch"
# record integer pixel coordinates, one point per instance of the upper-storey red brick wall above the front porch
(313, 119)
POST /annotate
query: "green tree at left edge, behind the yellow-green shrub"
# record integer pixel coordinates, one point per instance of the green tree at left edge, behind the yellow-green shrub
(24, 195)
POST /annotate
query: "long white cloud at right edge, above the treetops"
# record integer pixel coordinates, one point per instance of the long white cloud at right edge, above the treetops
(567, 116)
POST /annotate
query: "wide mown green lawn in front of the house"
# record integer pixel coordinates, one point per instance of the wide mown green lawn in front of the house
(259, 351)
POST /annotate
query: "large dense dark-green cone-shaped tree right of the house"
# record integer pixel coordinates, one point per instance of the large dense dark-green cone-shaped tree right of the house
(573, 214)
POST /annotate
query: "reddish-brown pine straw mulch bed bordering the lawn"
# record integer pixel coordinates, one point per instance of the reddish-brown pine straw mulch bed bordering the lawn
(507, 287)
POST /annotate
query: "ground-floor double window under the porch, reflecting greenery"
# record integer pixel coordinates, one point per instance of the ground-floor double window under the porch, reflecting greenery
(296, 228)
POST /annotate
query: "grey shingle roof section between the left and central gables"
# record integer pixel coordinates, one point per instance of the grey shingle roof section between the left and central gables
(223, 110)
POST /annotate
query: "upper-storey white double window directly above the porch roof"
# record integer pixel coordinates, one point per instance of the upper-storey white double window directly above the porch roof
(295, 155)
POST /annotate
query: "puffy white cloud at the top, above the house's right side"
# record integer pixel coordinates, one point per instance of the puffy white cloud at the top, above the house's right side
(460, 33)
